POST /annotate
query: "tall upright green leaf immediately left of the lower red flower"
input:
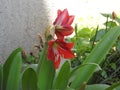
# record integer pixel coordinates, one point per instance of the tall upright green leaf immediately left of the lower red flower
(45, 71)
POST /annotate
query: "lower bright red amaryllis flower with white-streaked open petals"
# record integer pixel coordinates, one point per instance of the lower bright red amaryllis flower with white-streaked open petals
(58, 49)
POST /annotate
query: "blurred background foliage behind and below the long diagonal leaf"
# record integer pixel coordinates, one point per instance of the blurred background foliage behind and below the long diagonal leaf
(110, 66)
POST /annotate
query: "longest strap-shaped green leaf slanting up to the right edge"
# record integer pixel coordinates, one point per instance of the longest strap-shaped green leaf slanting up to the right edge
(97, 56)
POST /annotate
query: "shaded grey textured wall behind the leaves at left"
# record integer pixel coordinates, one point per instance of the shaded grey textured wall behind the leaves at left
(20, 22)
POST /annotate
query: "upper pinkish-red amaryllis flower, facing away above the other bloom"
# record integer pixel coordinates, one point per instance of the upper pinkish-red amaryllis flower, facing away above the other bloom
(63, 24)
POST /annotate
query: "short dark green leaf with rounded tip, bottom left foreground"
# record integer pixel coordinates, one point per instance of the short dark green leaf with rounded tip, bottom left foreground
(29, 79)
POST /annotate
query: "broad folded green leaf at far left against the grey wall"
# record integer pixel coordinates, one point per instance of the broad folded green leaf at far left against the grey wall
(11, 71)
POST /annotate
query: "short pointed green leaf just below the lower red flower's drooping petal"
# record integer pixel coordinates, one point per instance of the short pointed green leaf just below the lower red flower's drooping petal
(63, 77)
